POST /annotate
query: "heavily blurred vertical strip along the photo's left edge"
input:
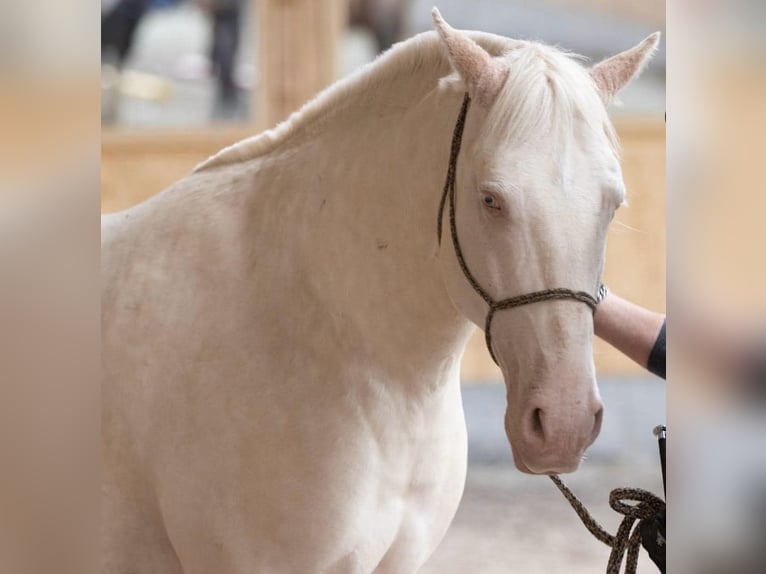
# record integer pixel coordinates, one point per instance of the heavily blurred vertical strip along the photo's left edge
(49, 302)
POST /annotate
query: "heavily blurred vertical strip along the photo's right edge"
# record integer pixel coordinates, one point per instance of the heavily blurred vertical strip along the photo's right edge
(717, 282)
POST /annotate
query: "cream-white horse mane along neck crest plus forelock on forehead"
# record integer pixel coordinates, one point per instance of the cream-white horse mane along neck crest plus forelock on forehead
(562, 86)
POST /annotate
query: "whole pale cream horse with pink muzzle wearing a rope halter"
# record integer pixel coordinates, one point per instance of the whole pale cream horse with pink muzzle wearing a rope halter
(282, 330)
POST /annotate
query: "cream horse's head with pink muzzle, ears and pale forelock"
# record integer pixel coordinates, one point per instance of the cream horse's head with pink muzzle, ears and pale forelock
(538, 181)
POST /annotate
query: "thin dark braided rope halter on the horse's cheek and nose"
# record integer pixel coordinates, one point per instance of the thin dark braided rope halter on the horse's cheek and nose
(494, 306)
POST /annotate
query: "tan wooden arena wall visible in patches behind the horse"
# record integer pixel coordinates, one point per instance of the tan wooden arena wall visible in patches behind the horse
(140, 164)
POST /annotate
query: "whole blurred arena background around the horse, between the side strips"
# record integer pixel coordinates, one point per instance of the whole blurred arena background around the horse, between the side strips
(181, 79)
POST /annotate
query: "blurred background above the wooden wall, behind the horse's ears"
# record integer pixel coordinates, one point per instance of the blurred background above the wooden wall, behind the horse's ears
(195, 62)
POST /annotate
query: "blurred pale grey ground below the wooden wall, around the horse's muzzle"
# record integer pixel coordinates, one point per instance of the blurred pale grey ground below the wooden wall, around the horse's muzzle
(510, 522)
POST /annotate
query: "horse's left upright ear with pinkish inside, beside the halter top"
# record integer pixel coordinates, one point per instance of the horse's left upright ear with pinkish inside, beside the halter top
(483, 76)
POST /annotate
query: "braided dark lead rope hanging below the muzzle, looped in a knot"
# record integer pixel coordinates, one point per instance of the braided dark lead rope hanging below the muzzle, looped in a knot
(627, 540)
